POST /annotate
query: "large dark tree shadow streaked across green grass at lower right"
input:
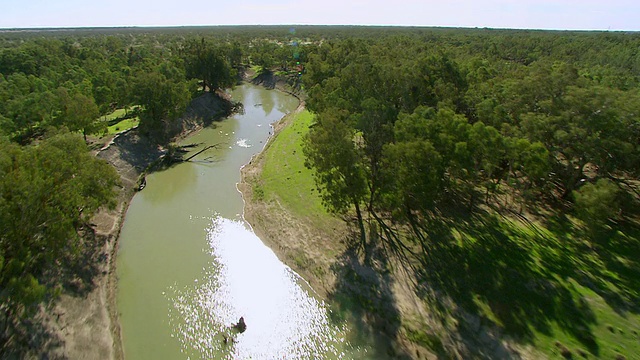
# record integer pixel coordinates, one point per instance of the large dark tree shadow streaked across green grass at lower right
(498, 273)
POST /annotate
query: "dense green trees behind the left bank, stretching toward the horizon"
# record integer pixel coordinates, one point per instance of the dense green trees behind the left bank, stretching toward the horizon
(49, 82)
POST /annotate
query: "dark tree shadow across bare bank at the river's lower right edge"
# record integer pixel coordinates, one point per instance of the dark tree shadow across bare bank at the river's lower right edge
(363, 298)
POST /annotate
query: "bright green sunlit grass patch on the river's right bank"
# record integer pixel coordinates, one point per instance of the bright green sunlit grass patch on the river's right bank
(284, 176)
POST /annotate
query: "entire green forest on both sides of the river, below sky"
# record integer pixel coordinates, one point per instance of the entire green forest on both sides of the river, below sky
(500, 166)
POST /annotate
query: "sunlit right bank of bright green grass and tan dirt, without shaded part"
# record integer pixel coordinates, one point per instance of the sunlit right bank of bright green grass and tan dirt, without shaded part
(282, 205)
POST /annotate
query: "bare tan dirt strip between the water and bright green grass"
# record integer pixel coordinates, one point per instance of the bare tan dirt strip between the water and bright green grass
(274, 224)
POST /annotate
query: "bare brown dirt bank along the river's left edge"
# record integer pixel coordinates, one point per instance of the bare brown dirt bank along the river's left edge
(83, 322)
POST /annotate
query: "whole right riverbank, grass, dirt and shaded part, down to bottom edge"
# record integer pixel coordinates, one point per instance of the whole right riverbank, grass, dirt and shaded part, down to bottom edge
(381, 301)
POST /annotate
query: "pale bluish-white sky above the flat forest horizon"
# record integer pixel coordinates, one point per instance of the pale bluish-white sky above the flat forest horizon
(521, 14)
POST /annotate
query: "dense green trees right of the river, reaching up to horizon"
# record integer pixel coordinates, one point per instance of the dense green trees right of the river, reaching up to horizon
(538, 119)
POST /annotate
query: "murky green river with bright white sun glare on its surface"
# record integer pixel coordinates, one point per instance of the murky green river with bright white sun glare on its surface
(189, 267)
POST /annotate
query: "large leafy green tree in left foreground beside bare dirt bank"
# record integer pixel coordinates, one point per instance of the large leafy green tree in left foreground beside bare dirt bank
(47, 191)
